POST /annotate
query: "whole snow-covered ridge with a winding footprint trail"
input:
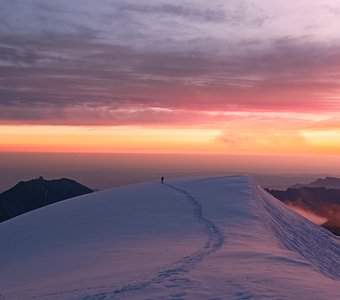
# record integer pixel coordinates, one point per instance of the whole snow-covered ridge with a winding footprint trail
(210, 238)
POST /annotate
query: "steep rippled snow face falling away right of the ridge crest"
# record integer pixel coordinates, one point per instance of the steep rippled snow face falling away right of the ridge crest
(320, 248)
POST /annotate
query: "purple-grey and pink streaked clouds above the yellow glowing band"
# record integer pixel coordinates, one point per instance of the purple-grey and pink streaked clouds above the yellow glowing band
(82, 62)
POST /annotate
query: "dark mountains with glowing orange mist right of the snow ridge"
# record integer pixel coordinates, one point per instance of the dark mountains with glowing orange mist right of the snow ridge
(320, 198)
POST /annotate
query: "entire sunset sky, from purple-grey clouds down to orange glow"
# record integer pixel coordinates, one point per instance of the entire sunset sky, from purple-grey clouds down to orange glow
(192, 76)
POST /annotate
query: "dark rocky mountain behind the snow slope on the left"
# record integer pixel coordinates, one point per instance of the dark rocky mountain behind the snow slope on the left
(36, 193)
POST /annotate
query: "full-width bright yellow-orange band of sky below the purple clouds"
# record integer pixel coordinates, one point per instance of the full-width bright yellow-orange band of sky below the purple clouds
(239, 139)
